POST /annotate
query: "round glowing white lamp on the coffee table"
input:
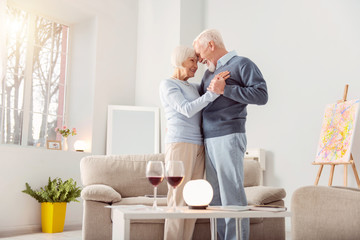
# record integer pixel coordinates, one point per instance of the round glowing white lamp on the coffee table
(198, 194)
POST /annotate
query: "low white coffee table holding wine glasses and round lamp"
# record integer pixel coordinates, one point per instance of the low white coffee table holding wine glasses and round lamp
(121, 216)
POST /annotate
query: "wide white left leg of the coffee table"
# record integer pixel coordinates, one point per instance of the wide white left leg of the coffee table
(121, 226)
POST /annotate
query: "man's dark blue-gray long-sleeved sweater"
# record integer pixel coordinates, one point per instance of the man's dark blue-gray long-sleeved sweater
(246, 85)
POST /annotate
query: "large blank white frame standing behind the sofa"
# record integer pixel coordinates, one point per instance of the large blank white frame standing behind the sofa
(133, 130)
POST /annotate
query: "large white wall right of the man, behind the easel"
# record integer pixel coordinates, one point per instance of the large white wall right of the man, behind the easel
(307, 52)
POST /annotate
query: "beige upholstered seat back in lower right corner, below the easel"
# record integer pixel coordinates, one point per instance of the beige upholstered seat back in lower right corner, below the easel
(325, 213)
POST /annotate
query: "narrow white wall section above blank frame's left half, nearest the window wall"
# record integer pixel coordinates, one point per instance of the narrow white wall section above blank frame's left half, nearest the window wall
(115, 62)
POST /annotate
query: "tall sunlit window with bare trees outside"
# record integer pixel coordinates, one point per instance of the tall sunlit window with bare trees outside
(32, 91)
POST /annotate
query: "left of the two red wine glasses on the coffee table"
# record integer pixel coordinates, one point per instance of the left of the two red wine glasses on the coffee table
(155, 175)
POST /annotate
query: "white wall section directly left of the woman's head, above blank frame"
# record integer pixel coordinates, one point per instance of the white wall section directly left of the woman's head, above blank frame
(158, 34)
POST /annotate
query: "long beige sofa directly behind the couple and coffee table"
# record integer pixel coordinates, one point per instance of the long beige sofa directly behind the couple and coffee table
(120, 180)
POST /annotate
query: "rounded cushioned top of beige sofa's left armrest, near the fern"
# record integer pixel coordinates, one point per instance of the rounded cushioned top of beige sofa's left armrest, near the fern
(100, 193)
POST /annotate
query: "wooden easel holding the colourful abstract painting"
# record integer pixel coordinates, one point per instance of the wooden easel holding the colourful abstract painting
(334, 164)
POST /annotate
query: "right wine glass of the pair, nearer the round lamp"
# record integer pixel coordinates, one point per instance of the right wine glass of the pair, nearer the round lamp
(174, 173)
